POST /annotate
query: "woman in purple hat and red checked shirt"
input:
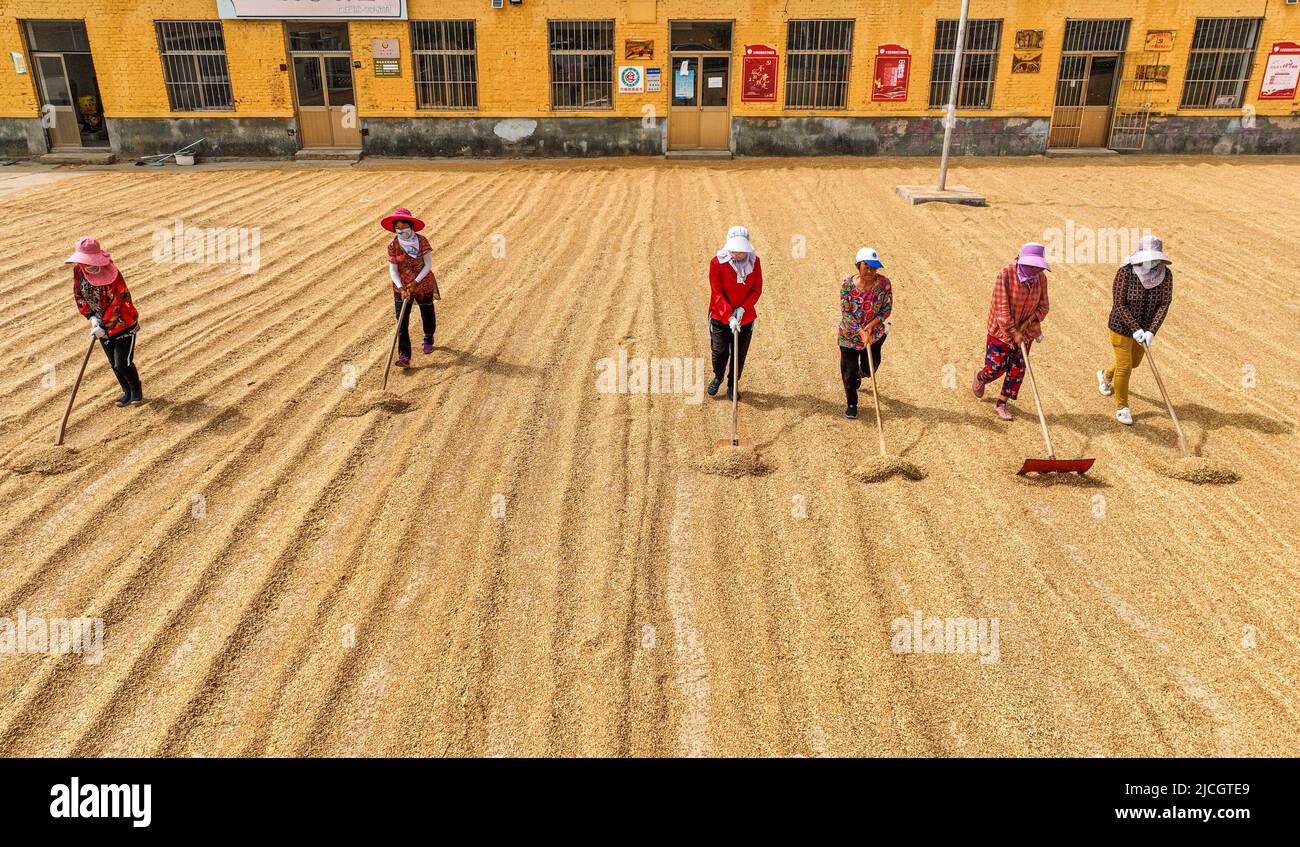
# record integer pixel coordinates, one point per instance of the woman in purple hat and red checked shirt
(1015, 318)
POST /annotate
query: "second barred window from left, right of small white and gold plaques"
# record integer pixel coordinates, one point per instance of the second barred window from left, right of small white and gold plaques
(447, 64)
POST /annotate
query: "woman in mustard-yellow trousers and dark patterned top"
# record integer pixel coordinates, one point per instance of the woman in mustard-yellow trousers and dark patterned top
(1139, 302)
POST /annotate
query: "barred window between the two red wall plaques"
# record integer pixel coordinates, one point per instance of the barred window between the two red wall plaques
(817, 64)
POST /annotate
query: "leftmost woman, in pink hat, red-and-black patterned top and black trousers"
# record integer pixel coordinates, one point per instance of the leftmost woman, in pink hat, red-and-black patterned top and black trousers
(101, 294)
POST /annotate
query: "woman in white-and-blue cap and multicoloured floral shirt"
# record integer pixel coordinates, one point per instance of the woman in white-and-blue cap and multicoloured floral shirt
(866, 303)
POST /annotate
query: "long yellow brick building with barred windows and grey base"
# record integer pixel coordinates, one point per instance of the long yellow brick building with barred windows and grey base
(600, 77)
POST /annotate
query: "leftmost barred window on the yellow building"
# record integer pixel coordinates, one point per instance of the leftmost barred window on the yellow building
(194, 66)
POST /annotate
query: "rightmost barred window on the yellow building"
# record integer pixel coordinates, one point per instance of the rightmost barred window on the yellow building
(1220, 63)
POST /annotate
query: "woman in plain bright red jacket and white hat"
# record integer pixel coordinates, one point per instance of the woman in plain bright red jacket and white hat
(736, 280)
